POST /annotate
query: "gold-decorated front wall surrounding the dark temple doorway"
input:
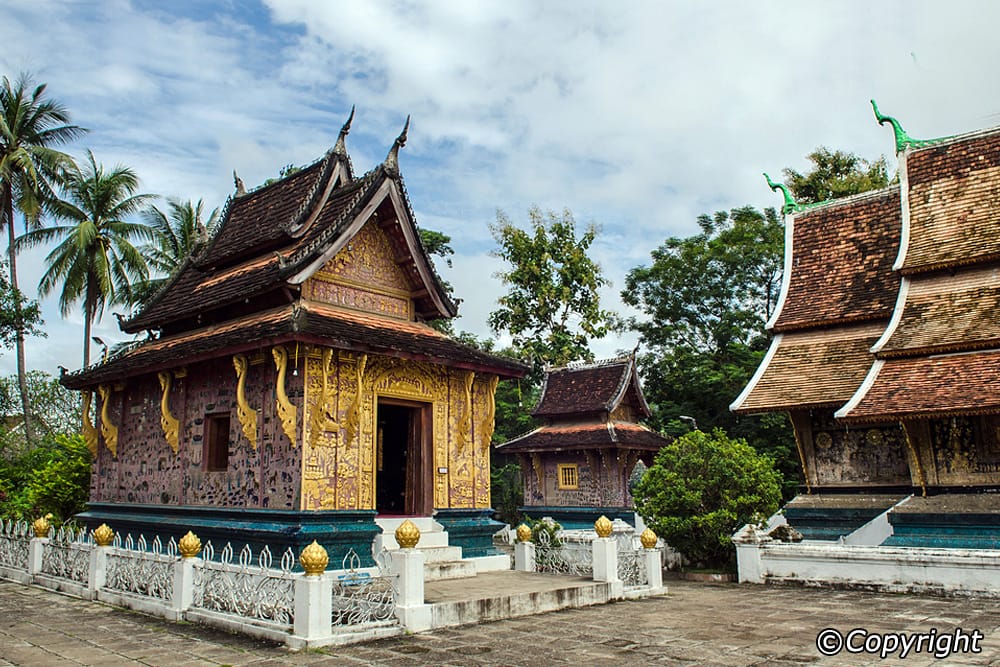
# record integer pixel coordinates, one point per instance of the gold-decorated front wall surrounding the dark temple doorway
(339, 433)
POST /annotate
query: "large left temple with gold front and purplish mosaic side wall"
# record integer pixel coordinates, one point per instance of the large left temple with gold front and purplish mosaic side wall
(290, 387)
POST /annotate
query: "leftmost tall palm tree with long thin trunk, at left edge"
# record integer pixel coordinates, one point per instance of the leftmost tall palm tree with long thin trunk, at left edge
(30, 125)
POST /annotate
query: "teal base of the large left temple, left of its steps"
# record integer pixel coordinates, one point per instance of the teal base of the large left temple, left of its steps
(338, 531)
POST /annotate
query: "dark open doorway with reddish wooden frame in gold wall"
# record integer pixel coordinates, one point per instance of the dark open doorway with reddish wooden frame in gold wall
(403, 458)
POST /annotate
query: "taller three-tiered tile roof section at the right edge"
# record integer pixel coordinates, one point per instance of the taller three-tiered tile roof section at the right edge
(940, 355)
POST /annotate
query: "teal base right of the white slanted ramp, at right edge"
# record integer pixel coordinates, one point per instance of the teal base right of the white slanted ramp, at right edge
(951, 531)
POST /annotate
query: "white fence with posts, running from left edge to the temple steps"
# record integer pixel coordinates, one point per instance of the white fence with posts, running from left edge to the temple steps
(244, 593)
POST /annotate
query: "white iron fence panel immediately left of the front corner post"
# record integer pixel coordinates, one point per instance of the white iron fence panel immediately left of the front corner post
(251, 591)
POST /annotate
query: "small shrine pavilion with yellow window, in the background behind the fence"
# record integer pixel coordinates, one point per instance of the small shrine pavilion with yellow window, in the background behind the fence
(577, 465)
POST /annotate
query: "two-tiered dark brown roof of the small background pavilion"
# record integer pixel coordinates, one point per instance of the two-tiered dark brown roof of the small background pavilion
(590, 406)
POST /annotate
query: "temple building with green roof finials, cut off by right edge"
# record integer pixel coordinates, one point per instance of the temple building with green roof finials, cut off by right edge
(886, 353)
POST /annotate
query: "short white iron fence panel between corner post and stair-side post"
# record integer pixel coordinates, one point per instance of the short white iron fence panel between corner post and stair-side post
(360, 598)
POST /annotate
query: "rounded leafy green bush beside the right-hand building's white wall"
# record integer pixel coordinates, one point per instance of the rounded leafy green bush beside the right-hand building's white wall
(701, 488)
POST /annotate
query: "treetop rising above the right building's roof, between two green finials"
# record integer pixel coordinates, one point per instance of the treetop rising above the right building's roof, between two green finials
(836, 174)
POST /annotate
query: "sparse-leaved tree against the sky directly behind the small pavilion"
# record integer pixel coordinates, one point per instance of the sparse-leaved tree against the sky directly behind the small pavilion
(552, 306)
